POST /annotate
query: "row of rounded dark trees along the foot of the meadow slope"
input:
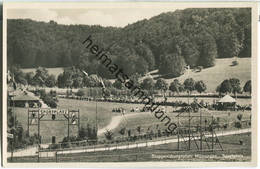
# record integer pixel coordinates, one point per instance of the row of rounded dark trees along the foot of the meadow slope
(74, 78)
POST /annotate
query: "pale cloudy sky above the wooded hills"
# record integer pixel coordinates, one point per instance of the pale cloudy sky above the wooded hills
(119, 17)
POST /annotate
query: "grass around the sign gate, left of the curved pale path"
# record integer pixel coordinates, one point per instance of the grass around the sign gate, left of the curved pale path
(60, 128)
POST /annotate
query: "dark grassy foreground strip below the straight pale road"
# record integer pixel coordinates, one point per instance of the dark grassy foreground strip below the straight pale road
(232, 150)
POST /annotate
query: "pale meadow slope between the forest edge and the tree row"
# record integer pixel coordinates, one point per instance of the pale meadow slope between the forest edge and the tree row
(212, 76)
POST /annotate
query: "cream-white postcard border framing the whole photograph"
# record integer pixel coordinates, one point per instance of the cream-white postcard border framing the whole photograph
(129, 5)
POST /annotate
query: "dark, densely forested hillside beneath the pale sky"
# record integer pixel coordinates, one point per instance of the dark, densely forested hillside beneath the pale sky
(167, 42)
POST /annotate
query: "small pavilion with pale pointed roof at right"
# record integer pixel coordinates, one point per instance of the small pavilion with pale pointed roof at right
(227, 103)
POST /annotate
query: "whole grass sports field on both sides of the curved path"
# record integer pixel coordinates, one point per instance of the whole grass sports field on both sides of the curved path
(88, 115)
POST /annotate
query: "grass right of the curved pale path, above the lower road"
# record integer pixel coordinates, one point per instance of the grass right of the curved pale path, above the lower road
(148, 121)
